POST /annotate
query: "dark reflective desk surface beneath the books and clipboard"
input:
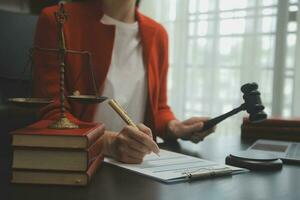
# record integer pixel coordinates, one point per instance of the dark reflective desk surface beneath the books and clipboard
(114, 183)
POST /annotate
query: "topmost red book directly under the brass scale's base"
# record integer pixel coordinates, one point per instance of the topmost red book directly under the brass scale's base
(39, 135)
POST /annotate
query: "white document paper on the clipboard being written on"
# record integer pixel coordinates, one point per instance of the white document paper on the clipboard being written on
(172, 167)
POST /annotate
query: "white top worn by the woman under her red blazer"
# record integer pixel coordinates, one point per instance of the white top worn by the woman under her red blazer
(126, 78)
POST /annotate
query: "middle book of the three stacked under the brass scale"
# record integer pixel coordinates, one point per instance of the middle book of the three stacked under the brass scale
(55, 159)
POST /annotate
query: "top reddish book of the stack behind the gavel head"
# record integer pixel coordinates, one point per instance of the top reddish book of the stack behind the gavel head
(274, 122)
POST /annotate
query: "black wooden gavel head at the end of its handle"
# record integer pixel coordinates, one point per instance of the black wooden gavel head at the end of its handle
(253, 104)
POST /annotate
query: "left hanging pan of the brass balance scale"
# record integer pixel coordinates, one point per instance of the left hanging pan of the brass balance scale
(30, 102)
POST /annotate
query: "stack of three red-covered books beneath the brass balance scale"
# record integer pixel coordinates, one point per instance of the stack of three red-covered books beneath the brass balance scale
(60, 157)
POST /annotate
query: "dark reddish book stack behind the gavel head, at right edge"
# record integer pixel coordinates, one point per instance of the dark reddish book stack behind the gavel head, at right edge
(272, 128)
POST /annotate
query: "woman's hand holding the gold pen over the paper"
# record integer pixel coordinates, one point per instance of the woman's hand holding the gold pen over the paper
(129, 145)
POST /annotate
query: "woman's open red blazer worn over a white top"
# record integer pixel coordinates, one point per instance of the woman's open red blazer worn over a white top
(83, 31)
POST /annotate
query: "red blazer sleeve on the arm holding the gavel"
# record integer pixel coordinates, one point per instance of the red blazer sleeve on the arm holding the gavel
(164, 114)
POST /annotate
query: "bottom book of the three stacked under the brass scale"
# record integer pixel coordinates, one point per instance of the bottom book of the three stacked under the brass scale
(57, 177)
